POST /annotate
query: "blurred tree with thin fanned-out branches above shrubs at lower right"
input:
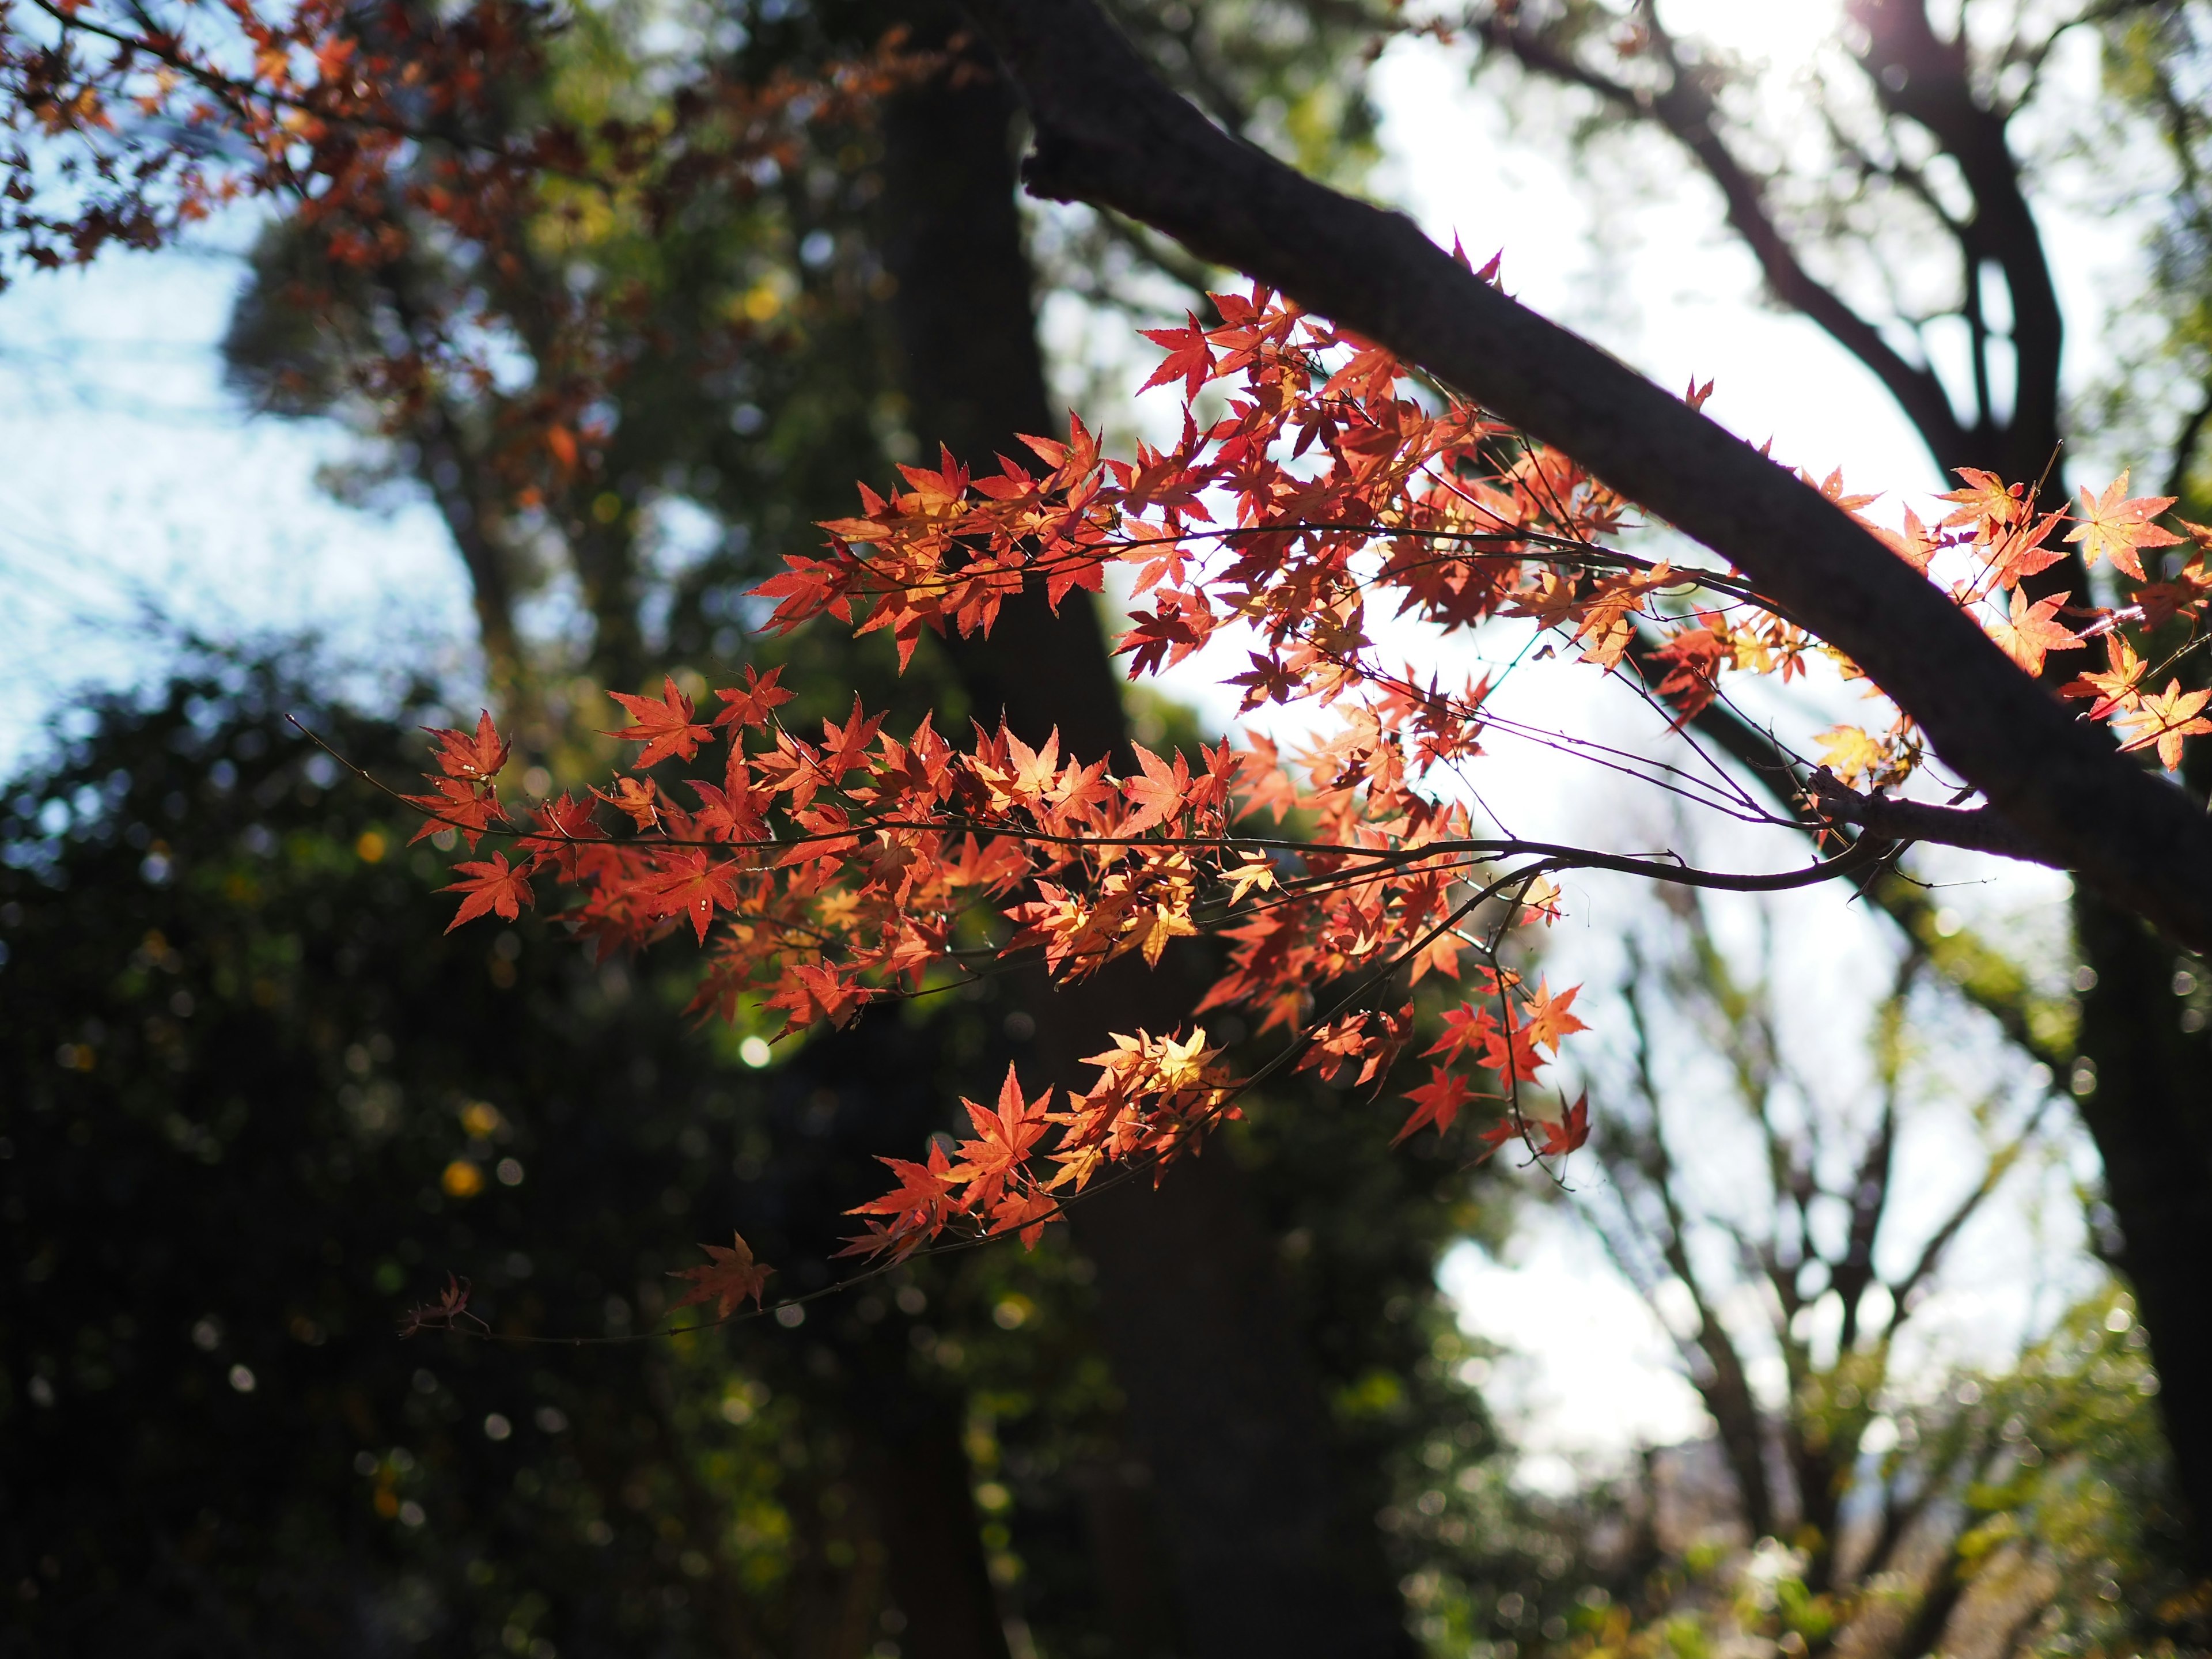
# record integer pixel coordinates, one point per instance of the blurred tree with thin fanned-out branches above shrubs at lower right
(1859, 1494)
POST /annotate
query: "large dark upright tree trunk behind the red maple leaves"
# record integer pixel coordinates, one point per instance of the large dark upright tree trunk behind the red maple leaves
(1222, 1397)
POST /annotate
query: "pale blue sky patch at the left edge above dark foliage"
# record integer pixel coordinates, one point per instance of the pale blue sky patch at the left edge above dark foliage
(134, 486)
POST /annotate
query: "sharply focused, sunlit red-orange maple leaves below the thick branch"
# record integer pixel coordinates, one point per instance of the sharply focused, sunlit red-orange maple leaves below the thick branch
(1322, 490)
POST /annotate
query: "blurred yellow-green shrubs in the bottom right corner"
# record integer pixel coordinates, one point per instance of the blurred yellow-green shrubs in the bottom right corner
(2049, 1527)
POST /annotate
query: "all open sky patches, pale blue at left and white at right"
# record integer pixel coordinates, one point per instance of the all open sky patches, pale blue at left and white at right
(129, 483)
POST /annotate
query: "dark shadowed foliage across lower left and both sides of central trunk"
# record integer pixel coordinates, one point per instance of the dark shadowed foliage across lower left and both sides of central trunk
(255, 1107)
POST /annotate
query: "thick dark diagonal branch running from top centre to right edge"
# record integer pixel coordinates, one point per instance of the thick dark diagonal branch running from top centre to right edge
(1112, 134)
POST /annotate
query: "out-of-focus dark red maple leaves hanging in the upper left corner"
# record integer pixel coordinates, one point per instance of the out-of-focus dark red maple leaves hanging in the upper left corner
(390, 129)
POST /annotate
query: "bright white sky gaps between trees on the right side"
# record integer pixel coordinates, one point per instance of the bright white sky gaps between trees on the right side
(1665, 286)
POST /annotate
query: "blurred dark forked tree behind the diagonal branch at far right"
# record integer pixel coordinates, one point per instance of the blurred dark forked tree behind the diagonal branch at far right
(1897, 191)
